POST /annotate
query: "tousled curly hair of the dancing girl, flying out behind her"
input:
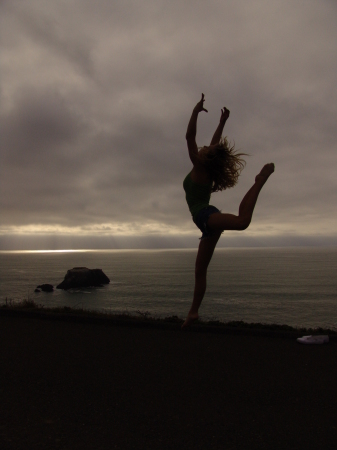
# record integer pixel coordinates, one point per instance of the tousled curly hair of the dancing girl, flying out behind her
(223, 163)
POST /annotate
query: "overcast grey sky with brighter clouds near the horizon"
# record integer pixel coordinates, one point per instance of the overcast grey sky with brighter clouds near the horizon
(96, 97)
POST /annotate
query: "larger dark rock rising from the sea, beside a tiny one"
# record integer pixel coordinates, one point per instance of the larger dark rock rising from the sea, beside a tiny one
(83, 277)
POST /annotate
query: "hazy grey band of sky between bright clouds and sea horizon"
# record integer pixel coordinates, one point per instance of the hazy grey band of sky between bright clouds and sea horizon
(62, 242)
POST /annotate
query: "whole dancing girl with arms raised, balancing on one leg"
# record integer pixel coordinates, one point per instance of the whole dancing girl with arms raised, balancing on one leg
(215, 168)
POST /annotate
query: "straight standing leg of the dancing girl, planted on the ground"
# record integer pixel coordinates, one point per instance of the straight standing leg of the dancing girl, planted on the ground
(204, 256)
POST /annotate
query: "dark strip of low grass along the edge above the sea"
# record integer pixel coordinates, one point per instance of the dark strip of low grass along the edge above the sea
(28, 308)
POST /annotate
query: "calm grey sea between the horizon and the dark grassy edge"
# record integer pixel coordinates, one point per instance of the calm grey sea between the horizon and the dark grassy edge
(294, 286)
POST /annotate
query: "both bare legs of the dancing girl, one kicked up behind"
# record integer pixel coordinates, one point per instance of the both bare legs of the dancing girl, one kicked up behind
(221, 222)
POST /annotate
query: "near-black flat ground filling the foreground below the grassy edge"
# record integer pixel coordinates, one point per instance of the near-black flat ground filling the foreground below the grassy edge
(68, 385)
